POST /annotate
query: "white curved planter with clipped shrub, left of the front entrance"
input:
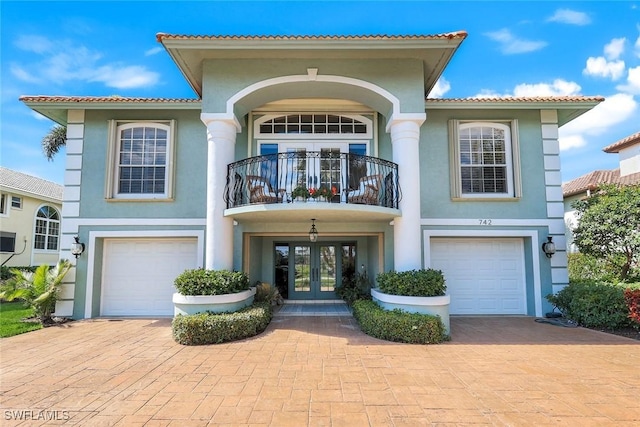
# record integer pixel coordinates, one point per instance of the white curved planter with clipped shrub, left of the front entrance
(215, 291)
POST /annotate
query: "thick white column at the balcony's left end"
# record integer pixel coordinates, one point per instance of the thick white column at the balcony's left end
(221, 139)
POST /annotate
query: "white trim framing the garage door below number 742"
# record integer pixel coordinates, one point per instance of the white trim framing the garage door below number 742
(535, 252)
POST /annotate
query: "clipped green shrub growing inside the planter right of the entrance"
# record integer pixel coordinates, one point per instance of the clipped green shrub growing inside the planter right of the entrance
(415, 283)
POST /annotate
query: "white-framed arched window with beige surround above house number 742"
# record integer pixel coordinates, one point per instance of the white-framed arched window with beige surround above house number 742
(484, 160)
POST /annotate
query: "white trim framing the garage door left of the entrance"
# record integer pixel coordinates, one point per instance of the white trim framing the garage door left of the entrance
(91, 252)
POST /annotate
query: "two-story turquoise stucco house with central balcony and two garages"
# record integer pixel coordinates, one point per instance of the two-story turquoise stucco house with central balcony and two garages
(470, 186)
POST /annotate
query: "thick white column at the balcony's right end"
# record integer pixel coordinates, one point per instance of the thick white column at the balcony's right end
(407, 246)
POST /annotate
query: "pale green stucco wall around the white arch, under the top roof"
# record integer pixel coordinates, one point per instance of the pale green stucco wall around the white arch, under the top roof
(225, 77)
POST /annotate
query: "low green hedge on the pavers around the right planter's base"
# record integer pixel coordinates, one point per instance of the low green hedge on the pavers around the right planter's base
(397, 325)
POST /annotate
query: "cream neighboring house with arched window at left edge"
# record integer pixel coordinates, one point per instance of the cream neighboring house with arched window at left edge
(30, 214)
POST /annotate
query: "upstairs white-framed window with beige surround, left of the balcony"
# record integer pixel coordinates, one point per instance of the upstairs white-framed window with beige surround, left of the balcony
(141, 160)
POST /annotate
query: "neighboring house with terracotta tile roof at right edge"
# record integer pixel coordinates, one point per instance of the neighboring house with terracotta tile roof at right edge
(628, 173)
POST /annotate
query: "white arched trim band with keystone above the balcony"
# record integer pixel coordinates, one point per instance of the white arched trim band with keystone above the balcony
(298, 78)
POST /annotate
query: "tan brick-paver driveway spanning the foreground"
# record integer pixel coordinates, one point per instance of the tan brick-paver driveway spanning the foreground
(321, 371)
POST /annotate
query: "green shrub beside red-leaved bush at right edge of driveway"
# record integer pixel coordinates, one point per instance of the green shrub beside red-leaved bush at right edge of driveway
(594, 304)
